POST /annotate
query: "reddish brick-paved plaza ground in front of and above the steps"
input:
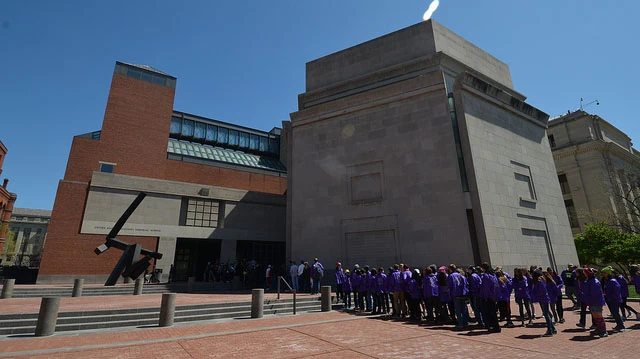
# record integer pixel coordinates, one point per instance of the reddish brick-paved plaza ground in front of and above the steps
(317, 335)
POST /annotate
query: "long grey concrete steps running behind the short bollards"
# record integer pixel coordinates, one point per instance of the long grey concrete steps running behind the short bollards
(100, 319)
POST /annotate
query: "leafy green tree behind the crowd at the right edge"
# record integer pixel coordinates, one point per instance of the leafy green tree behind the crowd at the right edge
(602, 245)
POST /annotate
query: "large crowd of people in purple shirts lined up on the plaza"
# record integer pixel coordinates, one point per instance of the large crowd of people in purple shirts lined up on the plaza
(443, 294)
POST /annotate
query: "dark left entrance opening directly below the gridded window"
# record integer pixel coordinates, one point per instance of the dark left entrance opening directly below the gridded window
(192, 256)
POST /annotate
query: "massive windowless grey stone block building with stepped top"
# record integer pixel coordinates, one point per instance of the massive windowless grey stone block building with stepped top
(414, 147)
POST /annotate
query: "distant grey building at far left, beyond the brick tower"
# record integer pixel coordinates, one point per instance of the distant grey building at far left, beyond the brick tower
(29, 229)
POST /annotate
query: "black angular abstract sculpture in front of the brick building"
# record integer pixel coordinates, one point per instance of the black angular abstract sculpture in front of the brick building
(128, 266)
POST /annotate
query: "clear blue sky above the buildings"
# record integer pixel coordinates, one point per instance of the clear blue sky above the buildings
(243, 61)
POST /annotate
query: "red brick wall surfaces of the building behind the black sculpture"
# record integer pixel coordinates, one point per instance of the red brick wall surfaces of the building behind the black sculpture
(134, 136)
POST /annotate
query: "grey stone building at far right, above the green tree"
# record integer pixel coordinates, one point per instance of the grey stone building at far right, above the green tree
(598, 170)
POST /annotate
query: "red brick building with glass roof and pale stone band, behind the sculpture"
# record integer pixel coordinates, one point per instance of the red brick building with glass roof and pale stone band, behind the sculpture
(215, 191)
